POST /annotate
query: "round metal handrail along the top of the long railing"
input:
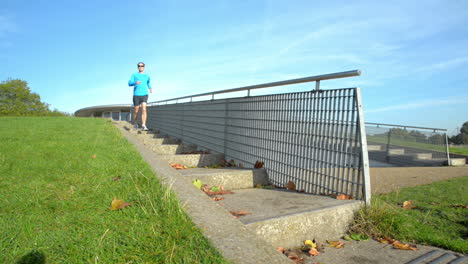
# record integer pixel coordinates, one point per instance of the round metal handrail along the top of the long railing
(317, 79)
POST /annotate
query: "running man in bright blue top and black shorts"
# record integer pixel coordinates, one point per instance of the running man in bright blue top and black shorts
(141, 84)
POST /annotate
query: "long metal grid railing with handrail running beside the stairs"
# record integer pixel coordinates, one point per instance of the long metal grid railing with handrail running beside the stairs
(315, 139)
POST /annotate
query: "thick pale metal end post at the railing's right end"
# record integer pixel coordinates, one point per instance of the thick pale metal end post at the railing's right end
(364, 153)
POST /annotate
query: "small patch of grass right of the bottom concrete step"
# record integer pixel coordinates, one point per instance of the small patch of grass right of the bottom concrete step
(438, 215)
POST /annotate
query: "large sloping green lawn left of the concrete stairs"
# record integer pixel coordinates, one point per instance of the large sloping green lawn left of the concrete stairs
(58, 176)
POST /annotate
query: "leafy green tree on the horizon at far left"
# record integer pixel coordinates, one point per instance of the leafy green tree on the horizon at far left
(16, 99)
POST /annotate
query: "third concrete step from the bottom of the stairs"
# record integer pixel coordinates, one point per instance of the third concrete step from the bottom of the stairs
(194, 160)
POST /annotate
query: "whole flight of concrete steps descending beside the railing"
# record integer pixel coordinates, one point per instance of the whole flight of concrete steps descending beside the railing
(280, 217)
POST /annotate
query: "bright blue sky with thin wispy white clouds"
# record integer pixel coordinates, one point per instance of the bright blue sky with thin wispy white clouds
(413, 54)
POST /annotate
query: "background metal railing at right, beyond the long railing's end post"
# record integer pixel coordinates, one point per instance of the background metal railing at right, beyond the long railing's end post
(401, 145)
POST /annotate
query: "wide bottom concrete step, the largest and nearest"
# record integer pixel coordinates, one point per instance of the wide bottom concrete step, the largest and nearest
(286, 218)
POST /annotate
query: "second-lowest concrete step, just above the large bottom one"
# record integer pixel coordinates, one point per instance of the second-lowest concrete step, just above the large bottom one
(229, 178)
